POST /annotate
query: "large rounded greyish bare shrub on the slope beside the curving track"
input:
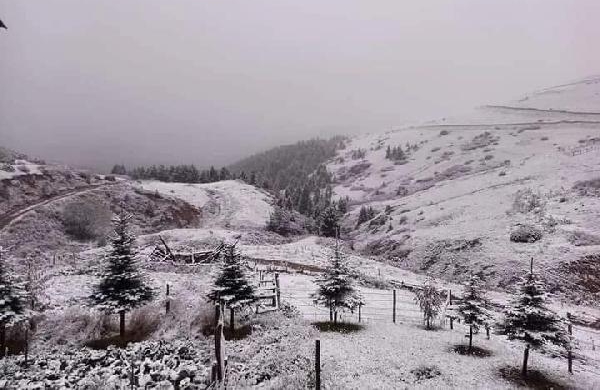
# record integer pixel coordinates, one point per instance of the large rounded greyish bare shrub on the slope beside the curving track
(85, 220)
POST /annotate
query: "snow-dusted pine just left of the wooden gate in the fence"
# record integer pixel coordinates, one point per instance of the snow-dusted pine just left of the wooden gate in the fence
(231, 284)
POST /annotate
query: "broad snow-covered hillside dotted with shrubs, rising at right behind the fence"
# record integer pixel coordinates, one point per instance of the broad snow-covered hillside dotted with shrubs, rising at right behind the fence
(449, 208)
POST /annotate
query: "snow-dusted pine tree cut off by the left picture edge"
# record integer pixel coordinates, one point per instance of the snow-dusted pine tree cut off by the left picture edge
(12, 297)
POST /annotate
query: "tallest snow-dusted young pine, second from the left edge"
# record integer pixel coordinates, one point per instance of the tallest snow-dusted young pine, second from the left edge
(122, 286)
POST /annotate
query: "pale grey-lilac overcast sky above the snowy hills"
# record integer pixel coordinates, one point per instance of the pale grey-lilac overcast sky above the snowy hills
(92, 83)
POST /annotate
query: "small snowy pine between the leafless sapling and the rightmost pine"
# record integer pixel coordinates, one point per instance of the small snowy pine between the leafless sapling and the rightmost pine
(472, 307)
